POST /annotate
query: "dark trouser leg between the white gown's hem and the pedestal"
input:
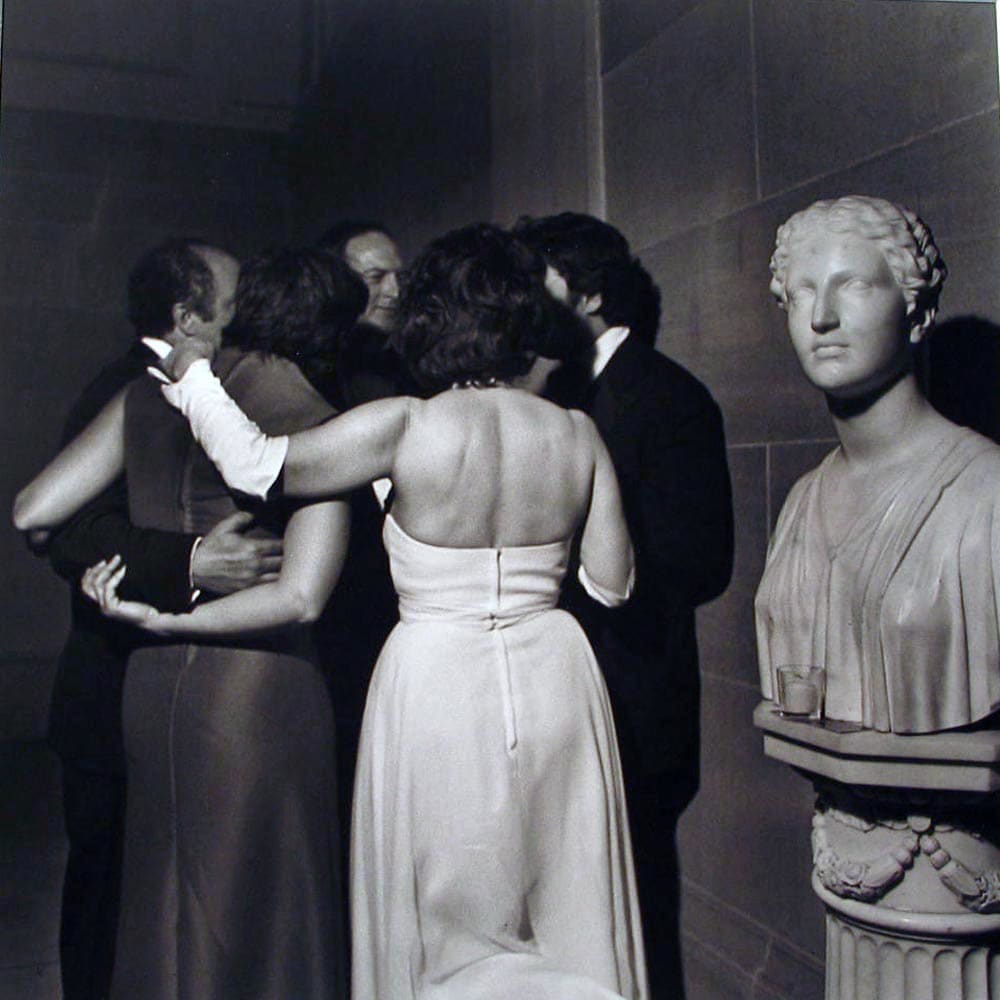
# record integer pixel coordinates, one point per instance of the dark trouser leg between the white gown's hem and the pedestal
(655, 804)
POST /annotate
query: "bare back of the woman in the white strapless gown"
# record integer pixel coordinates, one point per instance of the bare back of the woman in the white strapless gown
(492, 468)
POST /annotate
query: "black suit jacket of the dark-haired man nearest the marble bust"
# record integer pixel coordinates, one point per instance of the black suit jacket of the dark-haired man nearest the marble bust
(665, 436)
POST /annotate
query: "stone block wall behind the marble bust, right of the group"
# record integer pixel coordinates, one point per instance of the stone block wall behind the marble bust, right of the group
(715, 120)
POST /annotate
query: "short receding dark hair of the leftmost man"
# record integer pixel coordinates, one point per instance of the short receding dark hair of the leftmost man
(171, 273)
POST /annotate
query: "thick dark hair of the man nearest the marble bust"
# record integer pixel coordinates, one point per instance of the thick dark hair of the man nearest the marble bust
(595, 259)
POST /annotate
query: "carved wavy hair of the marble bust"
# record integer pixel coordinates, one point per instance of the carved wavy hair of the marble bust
(904, 240)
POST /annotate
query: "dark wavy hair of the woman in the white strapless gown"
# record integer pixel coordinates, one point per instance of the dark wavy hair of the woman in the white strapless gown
(473, 309)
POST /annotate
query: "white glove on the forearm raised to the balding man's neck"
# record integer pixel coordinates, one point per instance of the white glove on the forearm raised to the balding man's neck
(248, 459)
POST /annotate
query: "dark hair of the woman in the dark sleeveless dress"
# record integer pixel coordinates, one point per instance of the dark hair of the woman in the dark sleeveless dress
(296, 303)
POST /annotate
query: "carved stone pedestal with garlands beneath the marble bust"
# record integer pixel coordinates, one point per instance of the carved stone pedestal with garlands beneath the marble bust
(906, 856)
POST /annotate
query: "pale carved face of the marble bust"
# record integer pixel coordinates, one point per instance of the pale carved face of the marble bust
(846, 313)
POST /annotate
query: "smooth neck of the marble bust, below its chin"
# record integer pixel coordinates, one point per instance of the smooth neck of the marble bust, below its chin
(885, 427)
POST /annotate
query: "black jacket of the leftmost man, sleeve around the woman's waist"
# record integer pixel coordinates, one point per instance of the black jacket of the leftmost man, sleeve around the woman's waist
(85, 713)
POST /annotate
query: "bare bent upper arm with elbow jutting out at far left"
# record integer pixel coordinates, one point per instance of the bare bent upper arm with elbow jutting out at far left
(78, 474)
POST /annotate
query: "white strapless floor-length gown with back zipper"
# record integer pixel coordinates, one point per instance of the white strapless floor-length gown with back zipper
(490, 851)
